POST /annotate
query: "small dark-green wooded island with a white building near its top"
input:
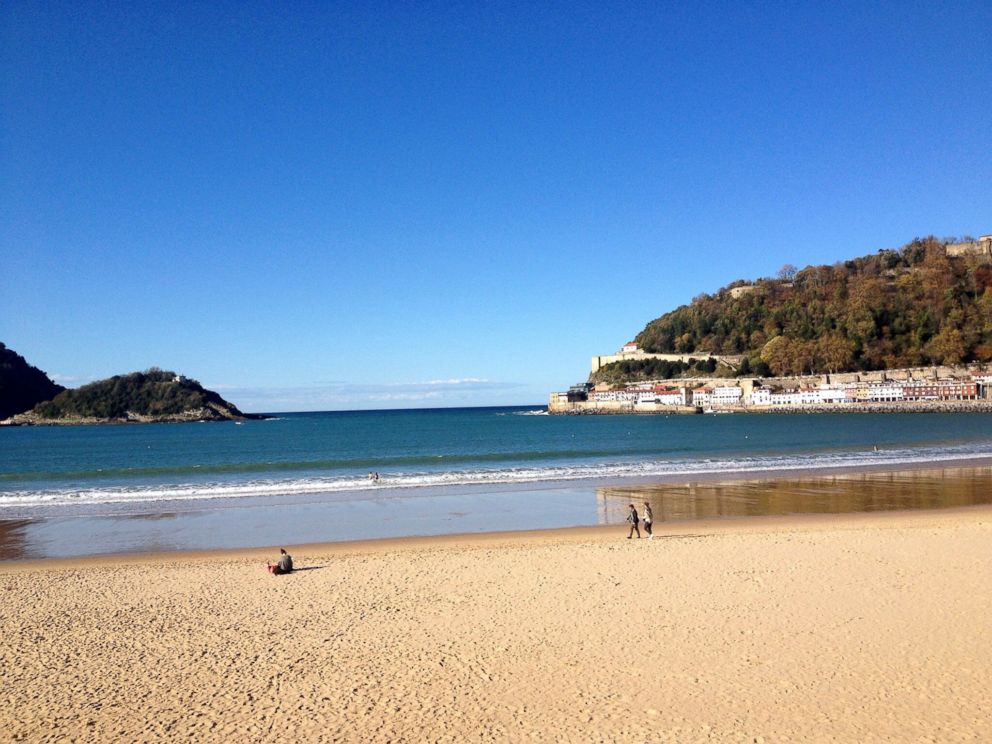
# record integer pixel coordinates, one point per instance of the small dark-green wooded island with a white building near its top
(153, 395)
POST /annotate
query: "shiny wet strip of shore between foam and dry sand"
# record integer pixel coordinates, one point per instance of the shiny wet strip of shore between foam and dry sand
(260, 522)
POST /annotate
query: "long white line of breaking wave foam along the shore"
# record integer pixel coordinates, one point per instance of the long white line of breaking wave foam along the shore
(275, 486)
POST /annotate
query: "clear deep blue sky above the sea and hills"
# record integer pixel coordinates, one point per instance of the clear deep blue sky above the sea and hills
(376, 205)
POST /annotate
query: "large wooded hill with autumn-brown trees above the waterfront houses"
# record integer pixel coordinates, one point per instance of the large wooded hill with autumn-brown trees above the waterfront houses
(898, 308)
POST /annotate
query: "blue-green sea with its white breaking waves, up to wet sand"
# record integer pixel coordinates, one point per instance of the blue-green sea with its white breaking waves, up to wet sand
(56, 470)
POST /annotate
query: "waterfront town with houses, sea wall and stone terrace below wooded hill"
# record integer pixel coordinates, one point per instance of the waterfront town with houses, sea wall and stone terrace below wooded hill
(929, 388)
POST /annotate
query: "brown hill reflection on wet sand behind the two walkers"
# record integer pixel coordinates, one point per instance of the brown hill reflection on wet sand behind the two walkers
(814, 494)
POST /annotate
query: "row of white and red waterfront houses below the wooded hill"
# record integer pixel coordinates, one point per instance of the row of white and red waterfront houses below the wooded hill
(733, 396)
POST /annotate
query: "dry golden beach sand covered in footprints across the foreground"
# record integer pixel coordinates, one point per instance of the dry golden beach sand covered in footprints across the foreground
(860, 628)
